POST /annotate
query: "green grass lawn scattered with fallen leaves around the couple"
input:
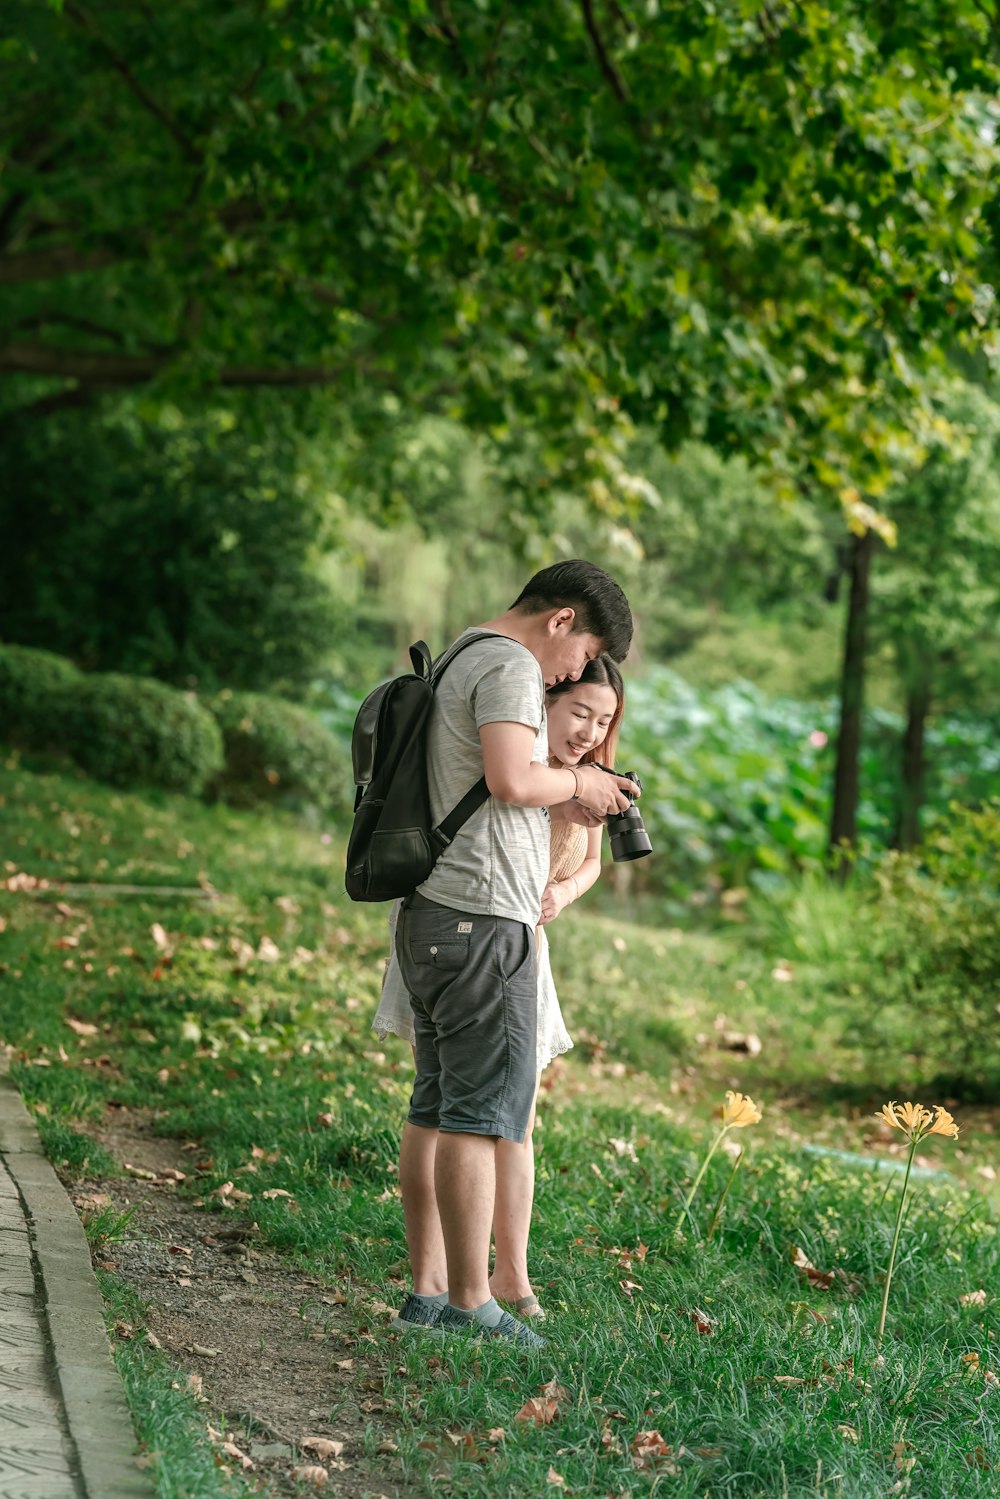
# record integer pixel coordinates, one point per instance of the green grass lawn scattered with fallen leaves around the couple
(695, 1368)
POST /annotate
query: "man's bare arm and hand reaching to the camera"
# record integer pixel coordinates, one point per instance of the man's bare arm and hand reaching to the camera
(513, 777)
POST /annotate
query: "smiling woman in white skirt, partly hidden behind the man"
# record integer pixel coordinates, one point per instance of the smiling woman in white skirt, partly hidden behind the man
(582, 719)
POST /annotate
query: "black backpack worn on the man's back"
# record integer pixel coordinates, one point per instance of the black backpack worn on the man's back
(394, 845)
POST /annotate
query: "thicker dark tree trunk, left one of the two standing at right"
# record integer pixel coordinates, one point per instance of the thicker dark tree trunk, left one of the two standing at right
(852, 692)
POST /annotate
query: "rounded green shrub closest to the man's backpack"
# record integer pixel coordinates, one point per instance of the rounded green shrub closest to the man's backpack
(278, 752)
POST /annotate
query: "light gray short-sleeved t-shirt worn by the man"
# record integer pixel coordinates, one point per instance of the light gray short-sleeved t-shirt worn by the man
(499, 863)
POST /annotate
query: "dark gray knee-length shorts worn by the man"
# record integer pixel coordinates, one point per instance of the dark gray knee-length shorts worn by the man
(473, 992)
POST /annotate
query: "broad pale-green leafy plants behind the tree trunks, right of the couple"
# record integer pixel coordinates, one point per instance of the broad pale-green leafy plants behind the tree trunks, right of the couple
(737, 783)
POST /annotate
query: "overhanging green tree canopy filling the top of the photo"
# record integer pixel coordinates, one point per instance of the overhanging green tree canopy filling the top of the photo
(753, 224)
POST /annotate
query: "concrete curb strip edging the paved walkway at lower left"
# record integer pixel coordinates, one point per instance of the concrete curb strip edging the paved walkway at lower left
(94, 1398)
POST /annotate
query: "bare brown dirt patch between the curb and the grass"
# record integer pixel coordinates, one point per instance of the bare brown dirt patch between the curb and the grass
(269, 1347)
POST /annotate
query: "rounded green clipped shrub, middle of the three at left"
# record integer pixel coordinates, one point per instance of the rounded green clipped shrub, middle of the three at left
(137, 732)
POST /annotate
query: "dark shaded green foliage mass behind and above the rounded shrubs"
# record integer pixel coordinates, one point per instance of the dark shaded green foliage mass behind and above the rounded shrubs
(169, 546)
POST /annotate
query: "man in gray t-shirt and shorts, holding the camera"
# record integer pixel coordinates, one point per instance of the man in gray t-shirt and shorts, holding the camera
(466, 941)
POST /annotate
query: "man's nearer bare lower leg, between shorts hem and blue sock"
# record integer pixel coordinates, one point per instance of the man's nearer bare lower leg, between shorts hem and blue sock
(466, 1179)
